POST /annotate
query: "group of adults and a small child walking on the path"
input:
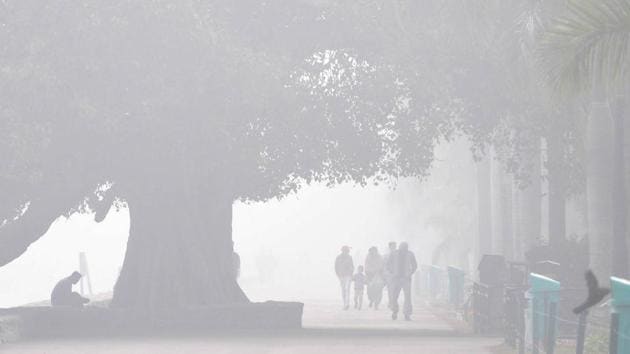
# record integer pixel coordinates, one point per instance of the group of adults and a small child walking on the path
(392, 271)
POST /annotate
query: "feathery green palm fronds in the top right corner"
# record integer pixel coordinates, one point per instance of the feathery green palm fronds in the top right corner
(588, 45)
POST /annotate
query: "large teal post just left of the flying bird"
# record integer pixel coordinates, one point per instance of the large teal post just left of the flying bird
(544, 293)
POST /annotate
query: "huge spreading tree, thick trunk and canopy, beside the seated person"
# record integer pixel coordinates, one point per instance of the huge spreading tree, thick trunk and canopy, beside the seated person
(179, 108)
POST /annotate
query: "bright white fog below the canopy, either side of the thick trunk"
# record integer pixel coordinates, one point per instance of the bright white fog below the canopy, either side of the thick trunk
(287, 246)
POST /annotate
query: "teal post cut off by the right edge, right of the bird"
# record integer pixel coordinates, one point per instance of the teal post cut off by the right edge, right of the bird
(620, 320)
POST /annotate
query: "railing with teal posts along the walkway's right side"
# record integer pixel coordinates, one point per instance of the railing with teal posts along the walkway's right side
(534, 320)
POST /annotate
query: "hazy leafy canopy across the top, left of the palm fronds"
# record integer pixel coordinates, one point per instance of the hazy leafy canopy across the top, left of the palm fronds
(124, 100)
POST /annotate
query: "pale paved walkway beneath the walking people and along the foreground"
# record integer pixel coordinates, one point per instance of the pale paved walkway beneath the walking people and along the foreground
(327, 330)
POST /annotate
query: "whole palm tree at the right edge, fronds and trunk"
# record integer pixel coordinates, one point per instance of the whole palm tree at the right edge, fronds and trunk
(588, 49)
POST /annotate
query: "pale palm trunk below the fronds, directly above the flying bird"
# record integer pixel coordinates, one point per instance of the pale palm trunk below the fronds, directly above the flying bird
(598, 187)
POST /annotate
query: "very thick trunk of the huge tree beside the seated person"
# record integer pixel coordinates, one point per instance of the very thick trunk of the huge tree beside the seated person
(179, 254)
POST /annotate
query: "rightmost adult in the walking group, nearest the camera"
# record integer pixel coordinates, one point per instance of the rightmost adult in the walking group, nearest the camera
(402, 264)
